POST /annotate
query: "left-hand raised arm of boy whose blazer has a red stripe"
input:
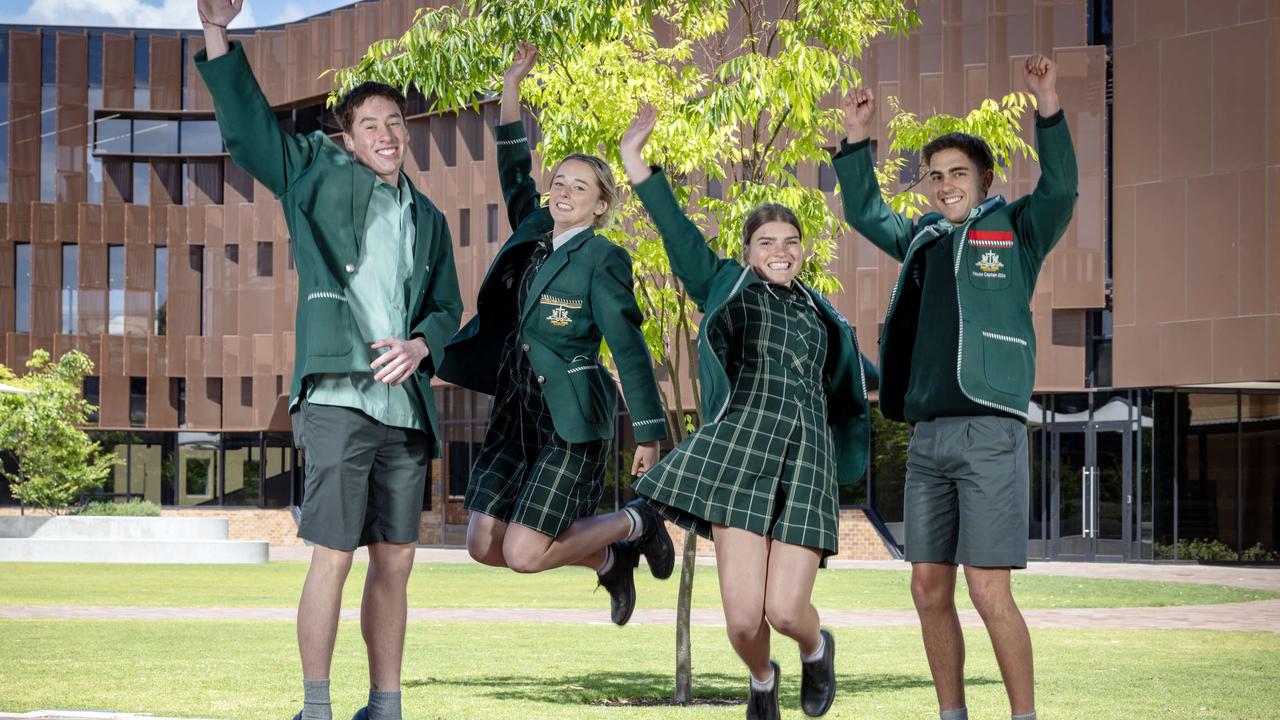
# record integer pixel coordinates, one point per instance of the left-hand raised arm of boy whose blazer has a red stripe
(860, 192)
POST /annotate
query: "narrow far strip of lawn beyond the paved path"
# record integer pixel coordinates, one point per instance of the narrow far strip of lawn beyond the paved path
(277, 585)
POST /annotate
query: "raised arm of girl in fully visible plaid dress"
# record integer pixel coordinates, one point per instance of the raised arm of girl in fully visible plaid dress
(687, 248)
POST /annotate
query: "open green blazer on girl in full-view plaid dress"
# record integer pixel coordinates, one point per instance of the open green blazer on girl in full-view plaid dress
(712, 282)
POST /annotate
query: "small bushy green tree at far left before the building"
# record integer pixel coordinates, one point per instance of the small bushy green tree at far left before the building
(57, 462)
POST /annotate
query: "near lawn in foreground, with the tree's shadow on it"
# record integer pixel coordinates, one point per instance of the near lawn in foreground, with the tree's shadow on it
(545, 672)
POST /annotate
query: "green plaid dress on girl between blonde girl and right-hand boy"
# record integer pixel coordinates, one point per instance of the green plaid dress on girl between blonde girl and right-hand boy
(769, 466)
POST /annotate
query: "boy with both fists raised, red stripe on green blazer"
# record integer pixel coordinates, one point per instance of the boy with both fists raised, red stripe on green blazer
(958, 362)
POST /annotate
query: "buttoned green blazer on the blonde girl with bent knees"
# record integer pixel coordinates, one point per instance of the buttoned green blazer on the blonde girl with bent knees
(583, 295)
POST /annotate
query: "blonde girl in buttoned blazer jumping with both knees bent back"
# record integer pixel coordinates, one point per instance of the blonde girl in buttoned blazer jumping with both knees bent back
(554, 293)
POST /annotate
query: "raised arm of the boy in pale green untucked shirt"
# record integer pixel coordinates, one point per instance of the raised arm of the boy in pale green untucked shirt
(245, 119)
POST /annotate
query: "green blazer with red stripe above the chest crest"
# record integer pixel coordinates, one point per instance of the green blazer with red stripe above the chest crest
(998, 259)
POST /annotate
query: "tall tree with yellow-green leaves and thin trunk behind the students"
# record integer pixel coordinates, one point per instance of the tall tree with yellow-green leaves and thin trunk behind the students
(748, 93)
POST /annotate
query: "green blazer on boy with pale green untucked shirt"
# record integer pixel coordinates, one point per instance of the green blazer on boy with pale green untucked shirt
(326, 194)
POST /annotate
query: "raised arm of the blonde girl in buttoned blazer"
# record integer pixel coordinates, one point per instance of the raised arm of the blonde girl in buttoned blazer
(515, 162)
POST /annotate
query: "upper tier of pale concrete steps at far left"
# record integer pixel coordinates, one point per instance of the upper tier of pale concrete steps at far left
(75, 527)
